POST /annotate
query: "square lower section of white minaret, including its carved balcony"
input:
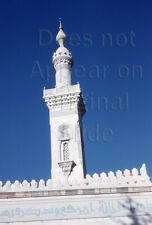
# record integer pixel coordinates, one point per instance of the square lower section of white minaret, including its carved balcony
(64, 111)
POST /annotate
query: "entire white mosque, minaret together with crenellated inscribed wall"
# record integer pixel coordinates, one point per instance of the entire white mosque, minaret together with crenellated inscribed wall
(71, 196)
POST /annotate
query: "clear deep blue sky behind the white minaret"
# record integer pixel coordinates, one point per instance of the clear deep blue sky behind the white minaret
(111, 46)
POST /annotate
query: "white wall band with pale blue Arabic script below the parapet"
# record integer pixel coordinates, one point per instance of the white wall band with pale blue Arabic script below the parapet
(105, 209)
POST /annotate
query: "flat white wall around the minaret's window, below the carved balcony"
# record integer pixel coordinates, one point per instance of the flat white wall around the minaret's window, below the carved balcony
(71, 119)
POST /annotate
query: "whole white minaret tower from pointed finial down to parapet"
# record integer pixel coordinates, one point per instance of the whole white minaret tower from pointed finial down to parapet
(66, 109)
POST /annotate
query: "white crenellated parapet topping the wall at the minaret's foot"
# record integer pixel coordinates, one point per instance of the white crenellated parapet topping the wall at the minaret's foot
(133, 178)
